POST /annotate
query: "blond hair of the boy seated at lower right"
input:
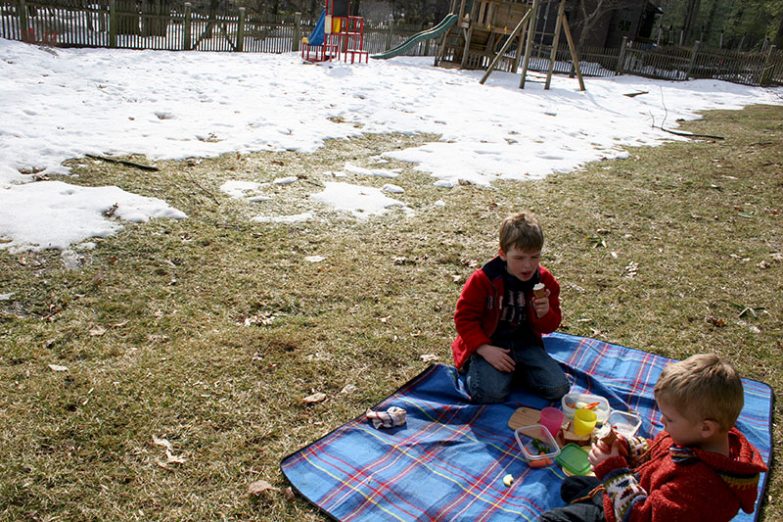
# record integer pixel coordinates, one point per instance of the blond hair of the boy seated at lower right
(703, 387)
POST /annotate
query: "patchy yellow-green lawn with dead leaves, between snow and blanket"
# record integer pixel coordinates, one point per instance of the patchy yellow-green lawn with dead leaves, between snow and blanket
(208, 332)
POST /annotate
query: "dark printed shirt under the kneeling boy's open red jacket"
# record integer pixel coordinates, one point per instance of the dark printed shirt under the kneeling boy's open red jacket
(514, 324)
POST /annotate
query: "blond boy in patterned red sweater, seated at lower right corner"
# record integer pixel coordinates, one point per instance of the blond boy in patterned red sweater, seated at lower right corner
(699, 468)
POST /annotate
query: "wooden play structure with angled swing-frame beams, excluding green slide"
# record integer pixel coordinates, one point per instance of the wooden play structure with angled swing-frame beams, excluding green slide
(501, 34)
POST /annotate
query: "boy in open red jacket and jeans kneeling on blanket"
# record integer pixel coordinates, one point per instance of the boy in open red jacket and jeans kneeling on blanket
(499, 320)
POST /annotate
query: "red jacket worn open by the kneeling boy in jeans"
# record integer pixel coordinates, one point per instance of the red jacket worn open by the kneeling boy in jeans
(480, 303)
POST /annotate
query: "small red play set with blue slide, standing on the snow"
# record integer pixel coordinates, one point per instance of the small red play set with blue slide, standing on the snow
(337, 35)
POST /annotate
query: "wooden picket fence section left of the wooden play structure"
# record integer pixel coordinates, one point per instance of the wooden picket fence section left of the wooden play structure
(127, 24)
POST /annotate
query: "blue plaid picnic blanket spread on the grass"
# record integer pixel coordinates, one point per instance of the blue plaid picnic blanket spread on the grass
(448, 461)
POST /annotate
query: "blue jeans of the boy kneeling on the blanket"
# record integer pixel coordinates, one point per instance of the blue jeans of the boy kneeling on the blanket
(535, 369)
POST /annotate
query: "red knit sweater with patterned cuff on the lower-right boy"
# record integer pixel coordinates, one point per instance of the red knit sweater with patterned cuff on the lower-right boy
(670, 483)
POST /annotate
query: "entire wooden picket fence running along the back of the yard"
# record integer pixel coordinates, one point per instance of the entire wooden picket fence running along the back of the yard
(129, 24)
